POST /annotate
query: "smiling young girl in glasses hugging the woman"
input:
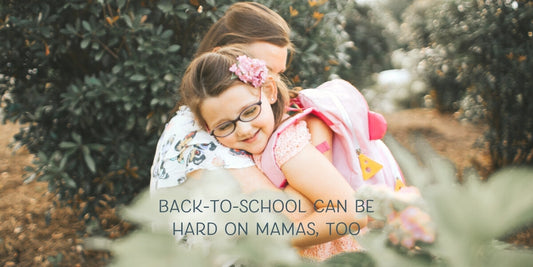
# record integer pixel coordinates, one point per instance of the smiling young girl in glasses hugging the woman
(242, 111)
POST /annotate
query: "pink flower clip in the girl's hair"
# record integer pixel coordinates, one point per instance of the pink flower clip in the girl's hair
(252, 71)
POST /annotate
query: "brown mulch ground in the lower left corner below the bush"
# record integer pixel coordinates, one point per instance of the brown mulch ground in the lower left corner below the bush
(33, 231)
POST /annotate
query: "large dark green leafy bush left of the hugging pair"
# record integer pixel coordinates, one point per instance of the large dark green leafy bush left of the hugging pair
(93, 82)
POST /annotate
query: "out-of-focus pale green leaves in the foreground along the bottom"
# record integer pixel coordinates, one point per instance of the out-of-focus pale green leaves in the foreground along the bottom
(470, 222)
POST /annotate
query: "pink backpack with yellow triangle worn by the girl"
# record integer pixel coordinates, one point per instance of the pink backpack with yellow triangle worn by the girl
(356, 146)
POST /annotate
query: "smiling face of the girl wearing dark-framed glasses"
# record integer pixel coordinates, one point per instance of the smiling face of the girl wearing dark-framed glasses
(250, 136)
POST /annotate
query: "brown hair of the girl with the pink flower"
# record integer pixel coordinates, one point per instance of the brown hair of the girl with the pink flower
(208, 76)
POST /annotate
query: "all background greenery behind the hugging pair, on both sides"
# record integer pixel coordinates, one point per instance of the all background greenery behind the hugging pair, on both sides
(93, 80)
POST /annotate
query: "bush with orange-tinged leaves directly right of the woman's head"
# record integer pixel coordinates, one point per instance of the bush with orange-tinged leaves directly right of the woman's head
(317, 35)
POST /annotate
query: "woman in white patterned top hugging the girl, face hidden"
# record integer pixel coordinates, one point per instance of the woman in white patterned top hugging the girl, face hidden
(185, 150)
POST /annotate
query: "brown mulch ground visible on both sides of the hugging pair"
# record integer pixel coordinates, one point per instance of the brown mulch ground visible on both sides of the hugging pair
(34, 232)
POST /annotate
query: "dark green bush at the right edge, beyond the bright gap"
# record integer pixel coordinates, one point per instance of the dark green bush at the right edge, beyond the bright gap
(482, 50)
